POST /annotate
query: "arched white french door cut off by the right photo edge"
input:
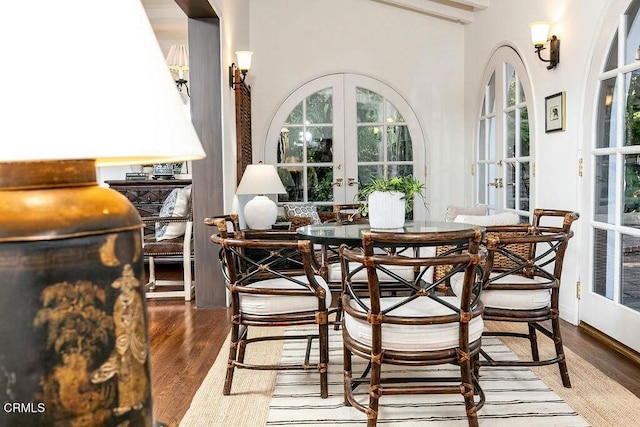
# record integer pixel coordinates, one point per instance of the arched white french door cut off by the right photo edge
(610, 301)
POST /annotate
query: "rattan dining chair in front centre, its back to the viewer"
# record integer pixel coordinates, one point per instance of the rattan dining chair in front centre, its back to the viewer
(417, 328)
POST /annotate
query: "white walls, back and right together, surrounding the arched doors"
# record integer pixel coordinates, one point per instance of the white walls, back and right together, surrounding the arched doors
(437, 66)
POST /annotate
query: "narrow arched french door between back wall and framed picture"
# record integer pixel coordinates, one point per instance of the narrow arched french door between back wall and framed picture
(503, 157)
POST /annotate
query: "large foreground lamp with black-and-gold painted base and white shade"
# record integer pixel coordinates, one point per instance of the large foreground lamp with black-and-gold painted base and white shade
(73, 333)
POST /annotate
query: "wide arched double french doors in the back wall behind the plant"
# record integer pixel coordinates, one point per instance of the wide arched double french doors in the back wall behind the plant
(337, 132)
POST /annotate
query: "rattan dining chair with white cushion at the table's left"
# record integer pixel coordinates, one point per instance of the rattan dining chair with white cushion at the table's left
(272, 282)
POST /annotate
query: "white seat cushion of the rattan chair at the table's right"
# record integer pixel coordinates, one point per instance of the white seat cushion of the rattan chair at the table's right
(510, 299)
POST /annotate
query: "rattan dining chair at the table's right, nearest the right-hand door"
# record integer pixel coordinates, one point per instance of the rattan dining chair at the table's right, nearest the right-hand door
(524, 284)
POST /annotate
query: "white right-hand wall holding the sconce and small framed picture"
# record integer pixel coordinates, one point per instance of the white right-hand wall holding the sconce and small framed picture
(577, 24)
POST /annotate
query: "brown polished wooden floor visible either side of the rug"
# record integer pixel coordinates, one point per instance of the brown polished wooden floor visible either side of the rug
(185, 341)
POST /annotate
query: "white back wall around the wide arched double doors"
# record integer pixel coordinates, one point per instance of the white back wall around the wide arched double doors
(295, 41)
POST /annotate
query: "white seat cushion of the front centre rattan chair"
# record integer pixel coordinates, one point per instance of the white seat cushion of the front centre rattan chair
(414, 337)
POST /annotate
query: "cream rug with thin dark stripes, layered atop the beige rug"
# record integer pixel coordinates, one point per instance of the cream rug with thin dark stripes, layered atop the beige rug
(514, 396)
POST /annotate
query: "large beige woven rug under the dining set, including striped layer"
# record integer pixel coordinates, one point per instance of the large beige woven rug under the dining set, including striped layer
(598, 400)
